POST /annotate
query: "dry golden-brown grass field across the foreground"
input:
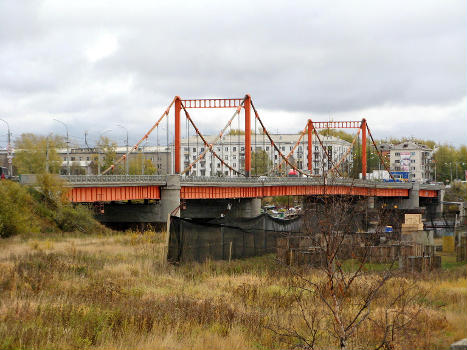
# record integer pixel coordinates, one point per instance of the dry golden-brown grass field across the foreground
(116, 292)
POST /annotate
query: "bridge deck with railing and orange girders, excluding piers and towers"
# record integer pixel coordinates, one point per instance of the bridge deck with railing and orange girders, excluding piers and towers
(128, 187)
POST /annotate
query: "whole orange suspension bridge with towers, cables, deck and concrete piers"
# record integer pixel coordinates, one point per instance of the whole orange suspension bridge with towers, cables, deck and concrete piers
(240, 194)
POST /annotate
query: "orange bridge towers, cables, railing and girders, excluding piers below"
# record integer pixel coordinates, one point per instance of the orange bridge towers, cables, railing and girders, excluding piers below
(110, 188)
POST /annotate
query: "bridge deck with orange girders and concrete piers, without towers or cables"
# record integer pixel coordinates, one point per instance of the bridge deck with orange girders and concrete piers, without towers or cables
(151, 198)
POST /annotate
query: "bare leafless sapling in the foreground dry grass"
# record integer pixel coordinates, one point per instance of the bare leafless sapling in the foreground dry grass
(329, 306)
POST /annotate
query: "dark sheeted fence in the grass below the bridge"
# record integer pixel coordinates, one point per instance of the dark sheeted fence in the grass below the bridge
(226, 238)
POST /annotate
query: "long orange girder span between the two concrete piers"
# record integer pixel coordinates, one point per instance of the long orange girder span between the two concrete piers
(210, 192)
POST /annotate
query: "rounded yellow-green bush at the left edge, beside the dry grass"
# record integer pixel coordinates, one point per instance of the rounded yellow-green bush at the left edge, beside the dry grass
(15, 209)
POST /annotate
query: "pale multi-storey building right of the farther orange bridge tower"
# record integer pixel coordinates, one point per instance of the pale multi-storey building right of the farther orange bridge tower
(412, 158)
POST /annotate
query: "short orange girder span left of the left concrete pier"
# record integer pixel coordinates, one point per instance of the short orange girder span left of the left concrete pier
(109, 194)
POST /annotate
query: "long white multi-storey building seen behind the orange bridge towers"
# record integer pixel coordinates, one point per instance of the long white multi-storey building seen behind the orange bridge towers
(231, 149)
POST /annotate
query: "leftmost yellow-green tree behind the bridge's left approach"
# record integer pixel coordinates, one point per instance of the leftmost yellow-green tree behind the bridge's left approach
(35, 153)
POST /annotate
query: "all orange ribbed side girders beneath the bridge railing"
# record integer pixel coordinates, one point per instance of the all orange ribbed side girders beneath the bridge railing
(124, 193)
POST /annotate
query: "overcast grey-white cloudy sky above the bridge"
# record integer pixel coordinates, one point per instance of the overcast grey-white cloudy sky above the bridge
(94, 64)
